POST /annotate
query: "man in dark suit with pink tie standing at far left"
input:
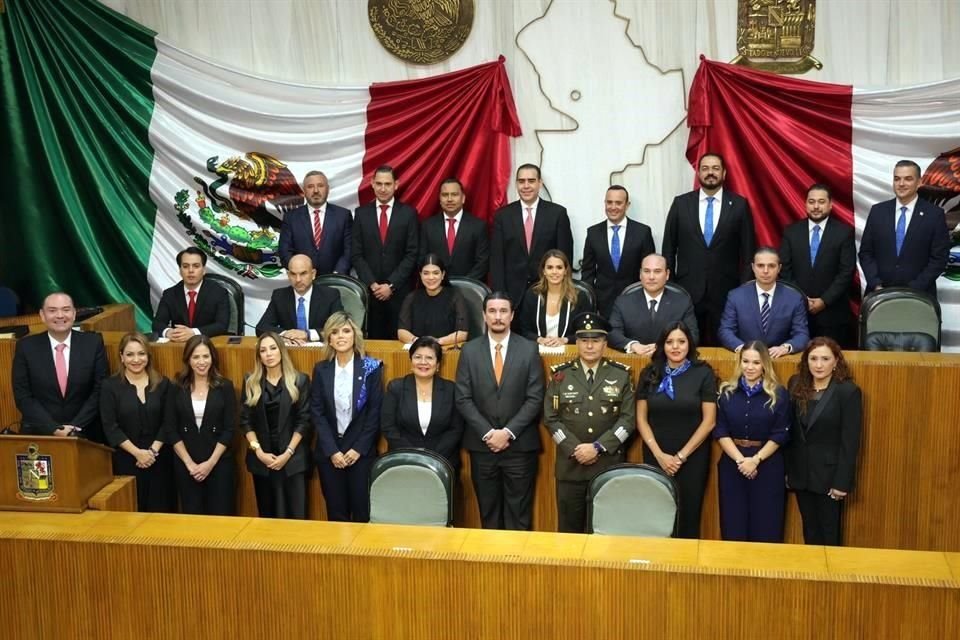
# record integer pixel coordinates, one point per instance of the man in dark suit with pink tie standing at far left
(56, 375)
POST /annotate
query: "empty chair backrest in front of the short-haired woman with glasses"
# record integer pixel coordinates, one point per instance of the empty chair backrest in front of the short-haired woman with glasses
(411, 486)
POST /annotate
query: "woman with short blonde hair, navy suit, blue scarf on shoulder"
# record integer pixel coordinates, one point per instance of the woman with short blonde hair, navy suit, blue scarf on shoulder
(345, 399)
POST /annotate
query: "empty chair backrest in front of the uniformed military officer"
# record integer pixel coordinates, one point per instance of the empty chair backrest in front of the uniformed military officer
(633, 500)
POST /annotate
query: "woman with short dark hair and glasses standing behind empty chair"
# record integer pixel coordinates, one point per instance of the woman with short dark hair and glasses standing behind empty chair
(418, 409)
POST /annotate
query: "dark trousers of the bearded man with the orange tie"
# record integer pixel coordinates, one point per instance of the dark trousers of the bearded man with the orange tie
(505, 484)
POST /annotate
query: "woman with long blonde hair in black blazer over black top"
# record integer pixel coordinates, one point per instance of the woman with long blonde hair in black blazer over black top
(275, 415)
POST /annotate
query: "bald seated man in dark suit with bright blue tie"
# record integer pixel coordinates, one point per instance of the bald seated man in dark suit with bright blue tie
(298, 312)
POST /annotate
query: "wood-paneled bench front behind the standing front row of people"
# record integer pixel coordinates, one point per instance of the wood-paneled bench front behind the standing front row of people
(909, 466)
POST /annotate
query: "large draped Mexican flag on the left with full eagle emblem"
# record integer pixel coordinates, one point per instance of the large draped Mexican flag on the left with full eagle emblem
(124, 149)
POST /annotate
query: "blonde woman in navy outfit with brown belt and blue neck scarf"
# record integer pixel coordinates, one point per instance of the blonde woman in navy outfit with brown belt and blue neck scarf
(753, 422)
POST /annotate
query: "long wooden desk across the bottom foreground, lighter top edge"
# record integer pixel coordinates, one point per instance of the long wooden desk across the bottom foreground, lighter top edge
(137, 575)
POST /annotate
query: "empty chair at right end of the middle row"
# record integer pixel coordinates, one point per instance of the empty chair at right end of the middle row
(900, 319)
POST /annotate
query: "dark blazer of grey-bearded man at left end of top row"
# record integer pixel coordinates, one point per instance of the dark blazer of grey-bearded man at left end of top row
(296, 236)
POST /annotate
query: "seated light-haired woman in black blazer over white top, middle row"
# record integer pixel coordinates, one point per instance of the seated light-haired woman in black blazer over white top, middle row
(549, 306)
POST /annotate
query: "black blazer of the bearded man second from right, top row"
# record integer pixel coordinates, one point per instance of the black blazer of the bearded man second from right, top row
(830, 278)
